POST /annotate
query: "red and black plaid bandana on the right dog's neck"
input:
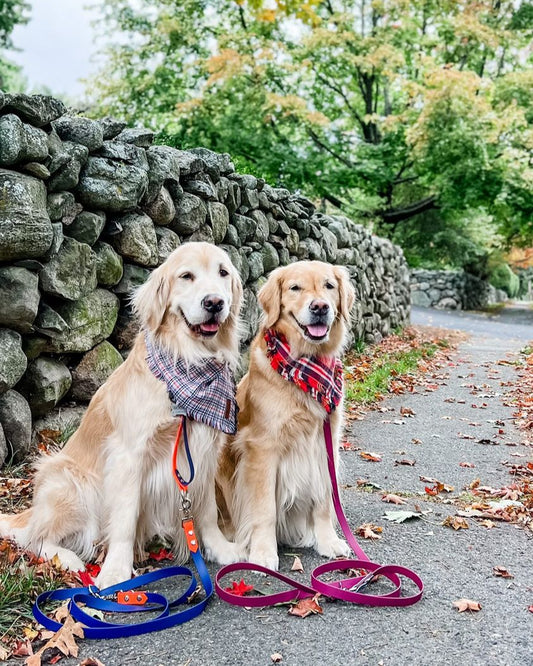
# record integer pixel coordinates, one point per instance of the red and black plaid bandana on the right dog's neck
(321, 377)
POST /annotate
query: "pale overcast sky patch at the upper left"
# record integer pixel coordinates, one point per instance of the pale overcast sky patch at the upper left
(57, 45)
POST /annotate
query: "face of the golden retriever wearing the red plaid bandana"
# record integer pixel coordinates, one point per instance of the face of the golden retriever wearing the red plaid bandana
(309, 302)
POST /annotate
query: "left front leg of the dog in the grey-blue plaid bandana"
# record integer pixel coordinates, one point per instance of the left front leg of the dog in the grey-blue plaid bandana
(122, 490)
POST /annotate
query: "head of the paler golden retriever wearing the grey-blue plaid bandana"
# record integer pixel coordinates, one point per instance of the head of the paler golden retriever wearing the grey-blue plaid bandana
(197, 287)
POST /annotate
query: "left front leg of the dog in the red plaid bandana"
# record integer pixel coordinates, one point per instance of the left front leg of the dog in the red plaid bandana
(258, 504)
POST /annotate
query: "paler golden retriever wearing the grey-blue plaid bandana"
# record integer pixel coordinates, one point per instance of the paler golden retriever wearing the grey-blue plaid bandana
(112, 484)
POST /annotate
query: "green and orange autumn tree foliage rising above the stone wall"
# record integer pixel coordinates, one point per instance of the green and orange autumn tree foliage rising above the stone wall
(399, 112)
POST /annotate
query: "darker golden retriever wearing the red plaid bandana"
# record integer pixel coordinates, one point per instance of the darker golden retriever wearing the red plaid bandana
(273, 474)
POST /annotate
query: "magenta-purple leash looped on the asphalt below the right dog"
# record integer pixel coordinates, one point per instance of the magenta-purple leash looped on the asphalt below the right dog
(347, 589)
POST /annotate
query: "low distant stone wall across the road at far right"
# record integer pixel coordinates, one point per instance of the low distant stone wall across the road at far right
(452, 290)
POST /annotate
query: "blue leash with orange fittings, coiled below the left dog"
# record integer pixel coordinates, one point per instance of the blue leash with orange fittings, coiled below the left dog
(127, 597)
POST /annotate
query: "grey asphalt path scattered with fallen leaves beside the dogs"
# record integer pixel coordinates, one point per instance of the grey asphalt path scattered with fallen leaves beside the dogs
(453, 564)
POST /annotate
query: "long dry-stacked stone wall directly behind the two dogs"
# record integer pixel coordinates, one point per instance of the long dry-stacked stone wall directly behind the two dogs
(88, 208)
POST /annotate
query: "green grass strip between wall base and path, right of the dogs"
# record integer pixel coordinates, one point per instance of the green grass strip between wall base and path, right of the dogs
(384, 369)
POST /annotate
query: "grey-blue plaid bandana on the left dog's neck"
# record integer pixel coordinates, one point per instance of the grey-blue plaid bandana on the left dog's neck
(203, 392)
